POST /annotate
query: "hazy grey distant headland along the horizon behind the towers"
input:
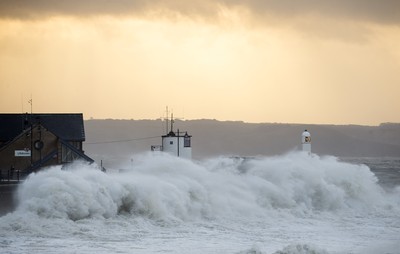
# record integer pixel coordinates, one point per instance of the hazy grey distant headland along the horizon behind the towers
(218, 138)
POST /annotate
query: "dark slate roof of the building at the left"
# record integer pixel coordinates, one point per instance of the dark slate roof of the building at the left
(68, 127)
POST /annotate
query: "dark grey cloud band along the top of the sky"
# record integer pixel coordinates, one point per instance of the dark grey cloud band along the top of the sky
(382, 11)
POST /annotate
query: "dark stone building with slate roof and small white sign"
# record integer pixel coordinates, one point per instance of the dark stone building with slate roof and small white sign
(31, 141)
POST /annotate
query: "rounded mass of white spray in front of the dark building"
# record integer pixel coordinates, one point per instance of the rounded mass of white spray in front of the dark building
(77, 192)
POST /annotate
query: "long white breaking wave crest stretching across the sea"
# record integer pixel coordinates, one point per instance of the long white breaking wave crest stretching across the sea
(162, 187)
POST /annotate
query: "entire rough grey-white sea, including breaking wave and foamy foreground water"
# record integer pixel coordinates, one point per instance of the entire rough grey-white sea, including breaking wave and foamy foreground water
(293, 203)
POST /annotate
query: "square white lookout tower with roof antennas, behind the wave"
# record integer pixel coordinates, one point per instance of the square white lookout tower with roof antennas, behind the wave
(176, 143)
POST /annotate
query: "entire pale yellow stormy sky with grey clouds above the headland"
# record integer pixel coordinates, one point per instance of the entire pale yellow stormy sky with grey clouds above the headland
(257, 61)
